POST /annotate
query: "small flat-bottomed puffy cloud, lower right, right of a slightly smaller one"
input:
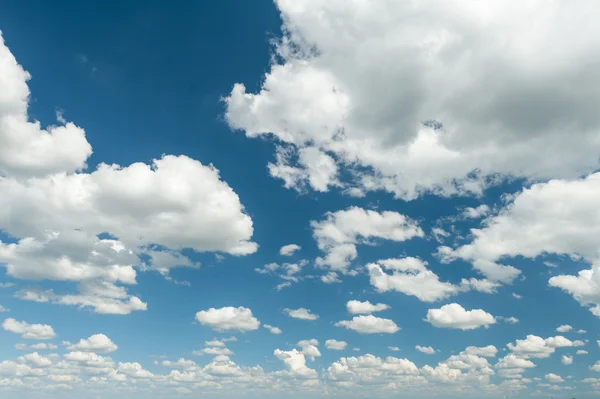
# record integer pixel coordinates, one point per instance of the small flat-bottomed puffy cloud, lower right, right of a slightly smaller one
(455, 316)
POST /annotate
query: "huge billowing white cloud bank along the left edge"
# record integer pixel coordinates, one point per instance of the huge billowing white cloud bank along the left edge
(56, 211)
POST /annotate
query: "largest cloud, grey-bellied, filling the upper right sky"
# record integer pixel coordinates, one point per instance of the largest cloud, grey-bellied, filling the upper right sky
(364, 87)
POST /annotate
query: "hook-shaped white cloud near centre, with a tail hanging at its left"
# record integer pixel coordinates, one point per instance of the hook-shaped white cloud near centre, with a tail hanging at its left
(341, 231)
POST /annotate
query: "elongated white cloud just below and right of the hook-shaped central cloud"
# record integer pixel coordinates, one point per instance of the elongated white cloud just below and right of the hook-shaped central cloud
(411, 277)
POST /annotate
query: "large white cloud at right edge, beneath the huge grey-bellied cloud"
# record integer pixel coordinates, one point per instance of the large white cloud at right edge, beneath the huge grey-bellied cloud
(565, 211)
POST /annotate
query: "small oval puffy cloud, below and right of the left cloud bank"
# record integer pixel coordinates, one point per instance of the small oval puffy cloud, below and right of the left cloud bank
(228, 318)
